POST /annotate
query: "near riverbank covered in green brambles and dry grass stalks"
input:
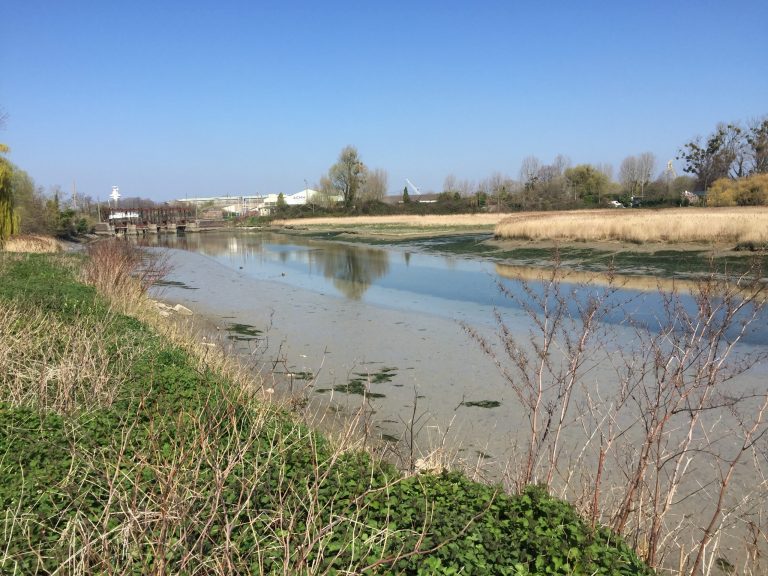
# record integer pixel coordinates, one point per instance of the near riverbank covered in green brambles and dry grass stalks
(124, 451)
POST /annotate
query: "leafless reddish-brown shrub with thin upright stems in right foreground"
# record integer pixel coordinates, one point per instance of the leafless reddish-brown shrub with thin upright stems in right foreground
(677, 426)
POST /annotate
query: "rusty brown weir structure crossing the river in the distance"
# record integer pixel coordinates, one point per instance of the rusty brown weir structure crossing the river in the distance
(142, 220)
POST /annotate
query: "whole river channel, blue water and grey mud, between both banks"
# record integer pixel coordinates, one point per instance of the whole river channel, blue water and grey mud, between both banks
(394, 321)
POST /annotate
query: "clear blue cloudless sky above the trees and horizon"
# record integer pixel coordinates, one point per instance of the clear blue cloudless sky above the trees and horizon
(182, 99)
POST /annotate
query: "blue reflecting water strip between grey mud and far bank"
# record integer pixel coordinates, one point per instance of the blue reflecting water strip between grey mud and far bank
(407, 278)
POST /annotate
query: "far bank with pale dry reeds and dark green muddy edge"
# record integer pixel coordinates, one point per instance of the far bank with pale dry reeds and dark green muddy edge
(458, 235)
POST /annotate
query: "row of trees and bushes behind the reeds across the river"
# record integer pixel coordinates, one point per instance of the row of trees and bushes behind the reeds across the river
(732, 158)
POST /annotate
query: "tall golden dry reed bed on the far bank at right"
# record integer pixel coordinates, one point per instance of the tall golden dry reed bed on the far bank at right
(679, 225)
